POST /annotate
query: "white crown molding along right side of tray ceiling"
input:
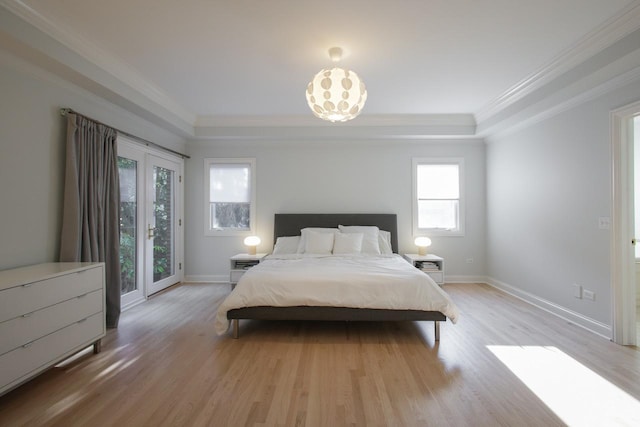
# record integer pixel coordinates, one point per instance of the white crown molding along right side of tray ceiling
(603, 36)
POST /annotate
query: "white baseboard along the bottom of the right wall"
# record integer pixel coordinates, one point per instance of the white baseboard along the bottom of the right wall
(578, 319)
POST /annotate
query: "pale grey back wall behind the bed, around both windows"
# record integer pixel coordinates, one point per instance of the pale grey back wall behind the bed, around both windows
(334, 176)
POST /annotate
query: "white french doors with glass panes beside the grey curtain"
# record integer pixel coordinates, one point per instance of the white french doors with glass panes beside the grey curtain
(150, 221)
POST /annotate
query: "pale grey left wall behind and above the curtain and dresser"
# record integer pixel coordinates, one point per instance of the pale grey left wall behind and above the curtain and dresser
(32, 147)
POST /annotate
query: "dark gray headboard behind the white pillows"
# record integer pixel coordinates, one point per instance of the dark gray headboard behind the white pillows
(291, 224)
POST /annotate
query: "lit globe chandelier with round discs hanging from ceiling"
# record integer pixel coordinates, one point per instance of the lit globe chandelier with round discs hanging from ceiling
(336, 94)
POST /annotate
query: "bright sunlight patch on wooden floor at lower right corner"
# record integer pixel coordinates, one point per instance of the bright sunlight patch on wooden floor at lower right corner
(576, 394)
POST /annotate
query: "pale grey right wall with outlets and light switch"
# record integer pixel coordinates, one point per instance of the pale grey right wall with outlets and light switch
(547, 186)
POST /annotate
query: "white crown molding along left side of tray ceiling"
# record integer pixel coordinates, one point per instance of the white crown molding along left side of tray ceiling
(138, 89)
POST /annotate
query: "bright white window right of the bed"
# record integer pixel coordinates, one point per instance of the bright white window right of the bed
(438, 196)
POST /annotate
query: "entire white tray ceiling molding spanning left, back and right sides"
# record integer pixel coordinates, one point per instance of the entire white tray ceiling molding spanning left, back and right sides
(127, 88)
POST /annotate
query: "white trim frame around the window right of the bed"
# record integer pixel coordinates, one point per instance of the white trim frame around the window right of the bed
(460, 231)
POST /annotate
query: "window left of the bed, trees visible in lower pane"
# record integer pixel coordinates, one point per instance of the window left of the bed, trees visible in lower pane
(229, 196)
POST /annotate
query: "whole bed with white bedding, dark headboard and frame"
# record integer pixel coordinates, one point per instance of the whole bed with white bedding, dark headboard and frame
(246, 301)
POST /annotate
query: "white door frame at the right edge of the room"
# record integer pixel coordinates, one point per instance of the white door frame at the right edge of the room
(623, 284)
